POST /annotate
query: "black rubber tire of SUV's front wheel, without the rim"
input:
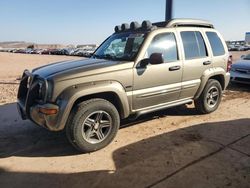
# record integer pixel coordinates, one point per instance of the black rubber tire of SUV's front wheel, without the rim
(77, 118)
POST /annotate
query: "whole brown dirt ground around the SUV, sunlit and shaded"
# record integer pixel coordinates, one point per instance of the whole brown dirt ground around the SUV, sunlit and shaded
(172, 148)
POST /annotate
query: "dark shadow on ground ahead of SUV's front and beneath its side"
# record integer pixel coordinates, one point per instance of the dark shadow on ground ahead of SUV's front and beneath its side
(24, 138)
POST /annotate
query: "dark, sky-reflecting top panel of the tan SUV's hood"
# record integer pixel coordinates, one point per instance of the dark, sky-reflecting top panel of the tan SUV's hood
(68, 66)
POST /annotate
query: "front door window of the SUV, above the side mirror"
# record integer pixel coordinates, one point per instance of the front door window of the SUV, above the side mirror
(165, 44)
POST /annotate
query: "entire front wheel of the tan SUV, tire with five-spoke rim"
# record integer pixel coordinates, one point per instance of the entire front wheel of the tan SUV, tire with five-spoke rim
(93, 125)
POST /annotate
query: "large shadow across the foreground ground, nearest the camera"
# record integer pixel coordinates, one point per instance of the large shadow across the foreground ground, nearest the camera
(211, 154)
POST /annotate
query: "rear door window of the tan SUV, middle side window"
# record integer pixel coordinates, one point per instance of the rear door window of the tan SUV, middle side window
(194, 45)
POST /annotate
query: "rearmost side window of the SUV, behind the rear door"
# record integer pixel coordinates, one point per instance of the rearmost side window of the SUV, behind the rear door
(216, 44)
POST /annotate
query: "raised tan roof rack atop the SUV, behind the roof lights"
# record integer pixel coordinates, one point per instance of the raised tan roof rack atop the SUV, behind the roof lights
(184, 23)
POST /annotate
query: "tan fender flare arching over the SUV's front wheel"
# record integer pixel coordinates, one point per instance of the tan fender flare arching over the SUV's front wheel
(111, 91)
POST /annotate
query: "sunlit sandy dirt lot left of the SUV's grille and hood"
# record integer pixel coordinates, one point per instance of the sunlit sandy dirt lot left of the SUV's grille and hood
(12, 66)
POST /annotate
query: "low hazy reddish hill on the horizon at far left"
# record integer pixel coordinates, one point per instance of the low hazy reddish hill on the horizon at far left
(23, 44)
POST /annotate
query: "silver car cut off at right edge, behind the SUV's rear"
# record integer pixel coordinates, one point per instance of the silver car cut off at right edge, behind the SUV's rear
(240, 71)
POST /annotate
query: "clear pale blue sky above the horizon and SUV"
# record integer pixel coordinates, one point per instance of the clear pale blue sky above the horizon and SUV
(91, 21)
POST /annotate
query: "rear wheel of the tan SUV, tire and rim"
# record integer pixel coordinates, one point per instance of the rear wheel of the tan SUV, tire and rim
(210, 98)
